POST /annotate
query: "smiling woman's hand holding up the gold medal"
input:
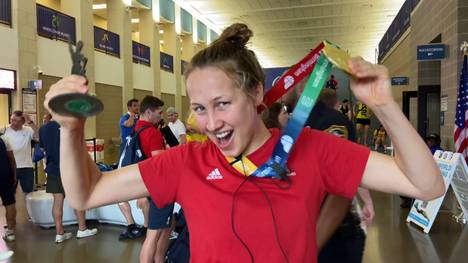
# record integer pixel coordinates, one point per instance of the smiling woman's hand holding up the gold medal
(370, 83)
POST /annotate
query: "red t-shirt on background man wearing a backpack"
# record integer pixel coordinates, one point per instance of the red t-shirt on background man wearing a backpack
(151, 138)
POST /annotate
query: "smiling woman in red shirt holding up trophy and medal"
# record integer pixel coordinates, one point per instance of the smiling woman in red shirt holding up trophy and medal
(240, 218)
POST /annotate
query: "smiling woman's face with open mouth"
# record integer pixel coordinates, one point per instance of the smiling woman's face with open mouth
(226, 114)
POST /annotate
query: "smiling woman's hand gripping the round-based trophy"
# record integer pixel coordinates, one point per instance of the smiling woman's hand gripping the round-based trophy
(70, 84)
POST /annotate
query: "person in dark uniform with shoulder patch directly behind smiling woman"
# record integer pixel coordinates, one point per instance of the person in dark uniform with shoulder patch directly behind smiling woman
(339, 222)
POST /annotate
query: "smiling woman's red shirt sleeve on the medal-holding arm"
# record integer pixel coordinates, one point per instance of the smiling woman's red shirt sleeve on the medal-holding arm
(341, 163)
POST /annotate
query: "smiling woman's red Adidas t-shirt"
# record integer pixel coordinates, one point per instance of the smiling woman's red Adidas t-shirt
(198, 177)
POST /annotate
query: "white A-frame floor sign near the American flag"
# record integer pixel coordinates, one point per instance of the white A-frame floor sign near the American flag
(455, 173)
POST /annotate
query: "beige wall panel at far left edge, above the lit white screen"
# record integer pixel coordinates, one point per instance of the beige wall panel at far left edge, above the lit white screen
(9, 48)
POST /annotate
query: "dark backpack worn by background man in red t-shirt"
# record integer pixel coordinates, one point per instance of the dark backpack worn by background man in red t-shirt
(132, 152)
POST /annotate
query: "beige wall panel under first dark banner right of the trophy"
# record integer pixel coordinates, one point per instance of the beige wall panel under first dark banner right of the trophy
(108, 69)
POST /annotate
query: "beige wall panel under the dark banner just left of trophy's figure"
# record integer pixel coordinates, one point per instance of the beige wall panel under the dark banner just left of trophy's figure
(53, 57)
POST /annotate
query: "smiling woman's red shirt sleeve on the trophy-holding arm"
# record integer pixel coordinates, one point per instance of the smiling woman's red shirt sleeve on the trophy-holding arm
(161, 175)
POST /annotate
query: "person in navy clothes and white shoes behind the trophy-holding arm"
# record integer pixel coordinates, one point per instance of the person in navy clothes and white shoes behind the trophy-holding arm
(49, 140)
